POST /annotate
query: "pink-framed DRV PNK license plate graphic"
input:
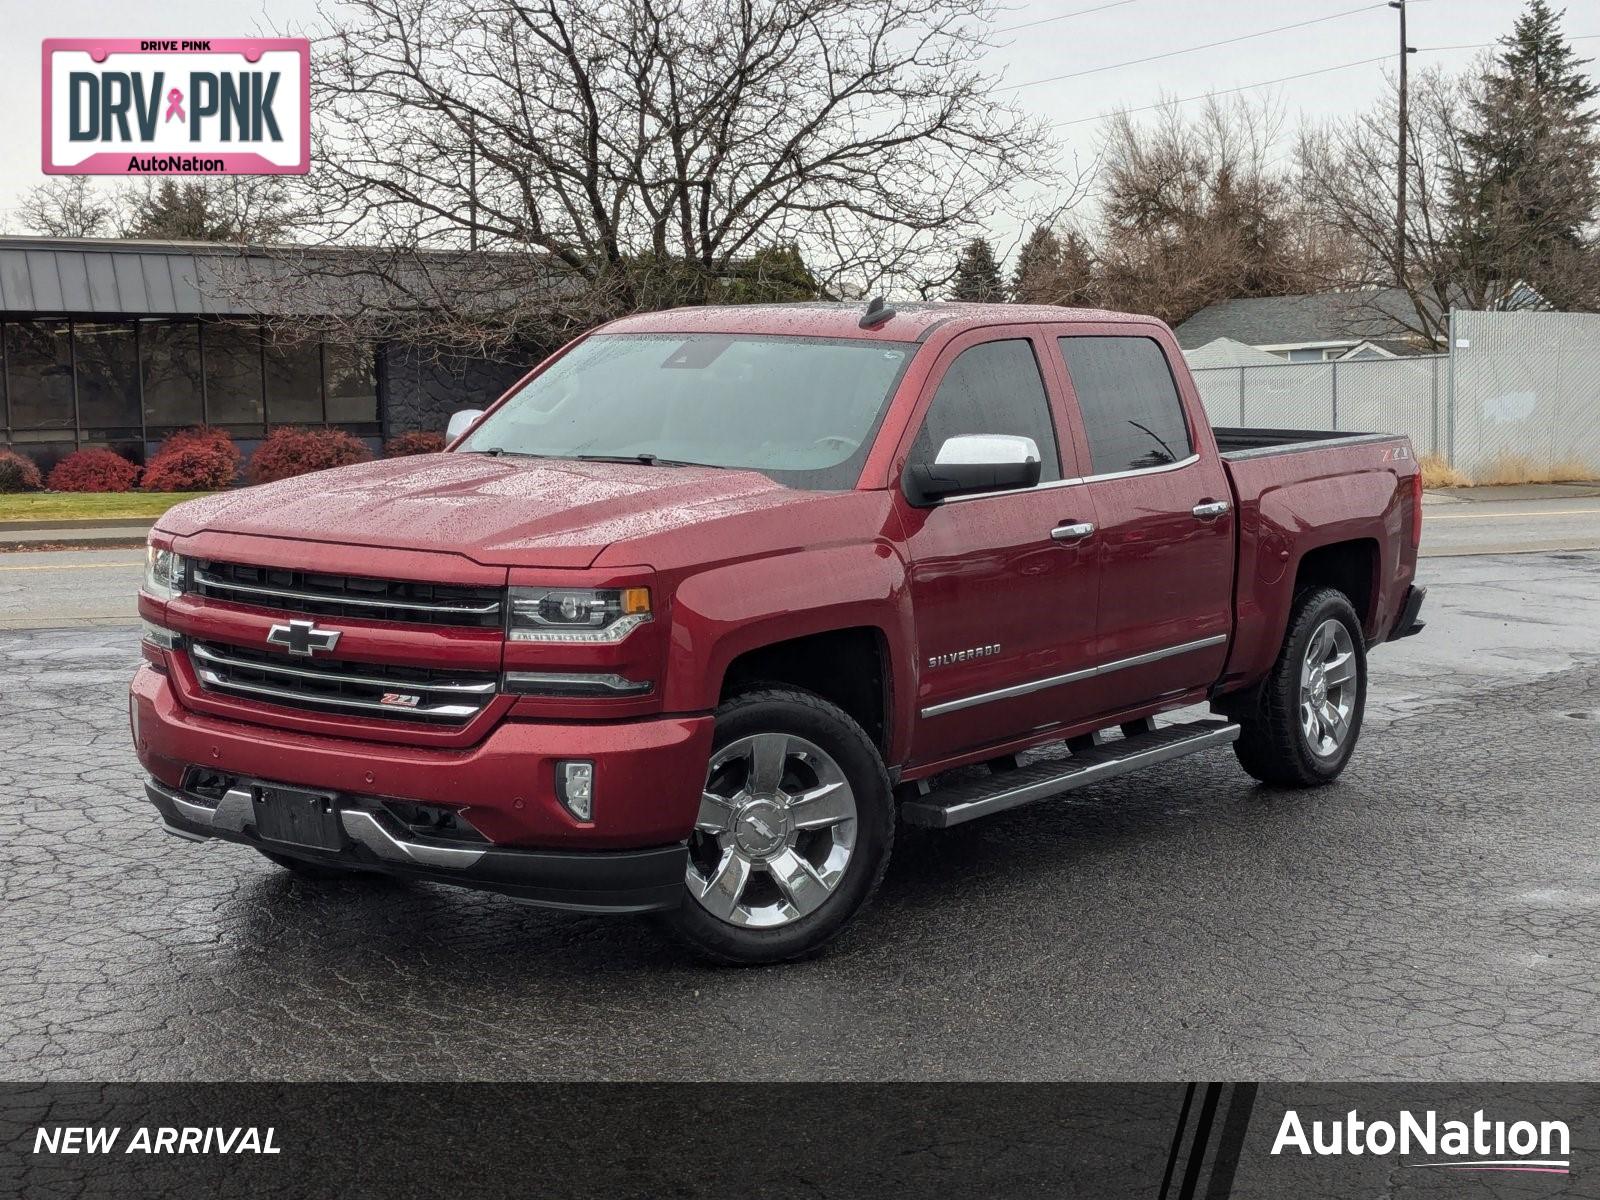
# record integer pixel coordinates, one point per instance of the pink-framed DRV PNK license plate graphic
(177, 106)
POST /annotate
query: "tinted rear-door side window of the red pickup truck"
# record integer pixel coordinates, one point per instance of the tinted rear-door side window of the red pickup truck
(1130, 406)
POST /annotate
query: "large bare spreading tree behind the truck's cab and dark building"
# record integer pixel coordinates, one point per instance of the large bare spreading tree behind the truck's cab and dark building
(527, 167)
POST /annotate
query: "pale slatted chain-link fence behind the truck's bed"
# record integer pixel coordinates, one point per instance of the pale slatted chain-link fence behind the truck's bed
(1518, 396)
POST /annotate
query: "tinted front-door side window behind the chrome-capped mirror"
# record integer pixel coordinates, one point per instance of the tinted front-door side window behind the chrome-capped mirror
(993, 390)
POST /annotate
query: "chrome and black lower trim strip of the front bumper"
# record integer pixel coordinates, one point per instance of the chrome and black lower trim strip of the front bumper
(628, 881)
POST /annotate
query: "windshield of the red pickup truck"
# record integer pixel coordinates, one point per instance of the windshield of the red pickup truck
(801, 410)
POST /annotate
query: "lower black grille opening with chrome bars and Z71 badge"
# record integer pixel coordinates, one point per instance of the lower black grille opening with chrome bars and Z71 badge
(335, 686)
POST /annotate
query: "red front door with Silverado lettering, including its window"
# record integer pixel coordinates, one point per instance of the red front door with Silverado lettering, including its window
(1004, 602)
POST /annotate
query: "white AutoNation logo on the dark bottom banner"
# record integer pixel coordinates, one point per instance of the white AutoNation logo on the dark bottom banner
(1478, 1145)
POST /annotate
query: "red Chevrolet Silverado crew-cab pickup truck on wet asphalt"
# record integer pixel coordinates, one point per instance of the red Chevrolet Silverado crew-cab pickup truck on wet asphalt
(713, 598)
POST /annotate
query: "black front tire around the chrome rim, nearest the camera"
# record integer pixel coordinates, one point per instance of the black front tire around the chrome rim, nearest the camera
(817, 721)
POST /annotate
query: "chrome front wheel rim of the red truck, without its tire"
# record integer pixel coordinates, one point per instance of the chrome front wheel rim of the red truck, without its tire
(775, 833)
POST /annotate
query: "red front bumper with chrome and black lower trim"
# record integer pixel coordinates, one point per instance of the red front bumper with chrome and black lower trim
(630, 858)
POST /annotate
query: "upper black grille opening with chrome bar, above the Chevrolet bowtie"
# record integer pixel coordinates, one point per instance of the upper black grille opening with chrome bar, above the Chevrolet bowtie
(294, 591)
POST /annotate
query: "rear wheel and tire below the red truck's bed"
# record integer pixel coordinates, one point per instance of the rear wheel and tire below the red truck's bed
(1294, 738)
